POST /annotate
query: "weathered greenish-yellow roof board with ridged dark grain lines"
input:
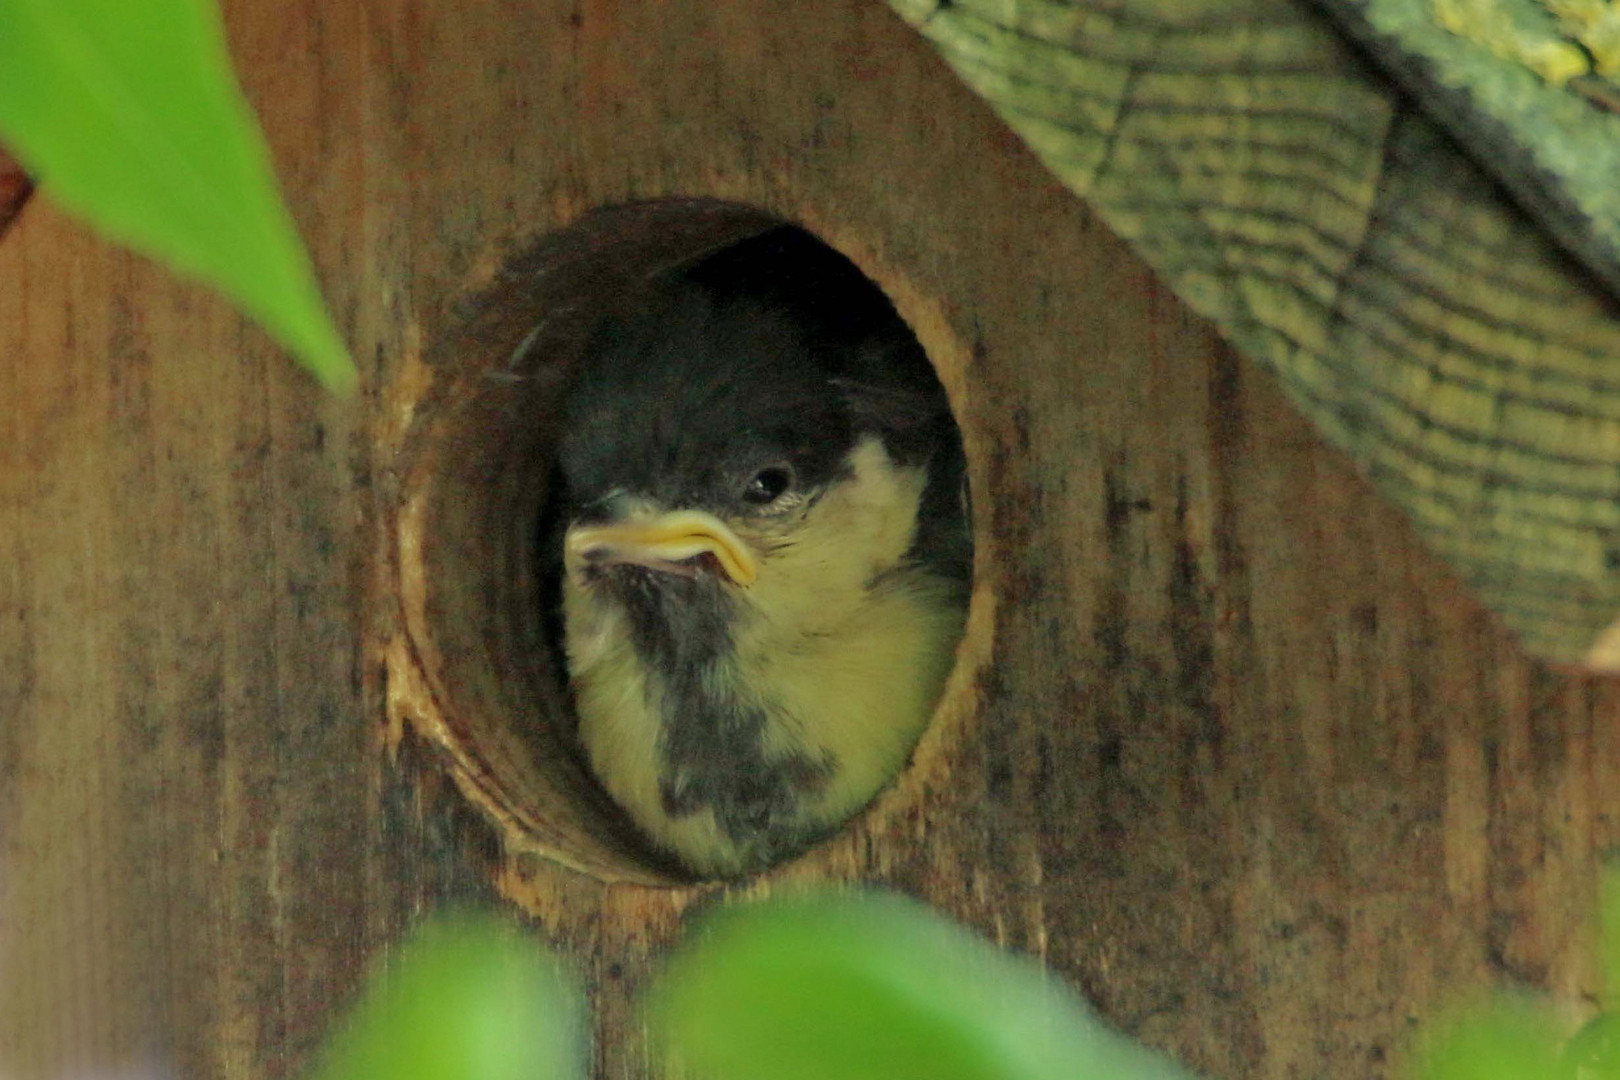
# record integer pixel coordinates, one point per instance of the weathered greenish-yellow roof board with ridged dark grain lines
(1426, 326)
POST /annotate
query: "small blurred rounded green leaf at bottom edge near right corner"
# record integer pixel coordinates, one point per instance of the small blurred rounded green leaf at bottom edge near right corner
(1504, 1040)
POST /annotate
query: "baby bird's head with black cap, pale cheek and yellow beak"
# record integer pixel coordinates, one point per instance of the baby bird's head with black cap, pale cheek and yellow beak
(712, 440)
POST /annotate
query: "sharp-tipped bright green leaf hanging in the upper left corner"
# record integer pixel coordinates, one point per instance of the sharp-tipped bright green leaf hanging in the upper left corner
(129, 116)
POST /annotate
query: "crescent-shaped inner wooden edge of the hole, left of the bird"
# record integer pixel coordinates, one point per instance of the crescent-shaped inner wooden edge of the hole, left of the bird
(477, 579)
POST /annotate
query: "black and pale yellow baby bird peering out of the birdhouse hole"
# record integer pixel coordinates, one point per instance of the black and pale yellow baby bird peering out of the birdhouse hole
(767, 556)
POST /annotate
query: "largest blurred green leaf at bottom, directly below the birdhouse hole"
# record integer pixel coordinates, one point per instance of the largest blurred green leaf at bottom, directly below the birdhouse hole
(874, 989)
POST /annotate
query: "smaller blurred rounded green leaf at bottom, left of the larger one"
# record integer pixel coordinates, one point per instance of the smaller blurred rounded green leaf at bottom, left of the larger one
(467, 1000)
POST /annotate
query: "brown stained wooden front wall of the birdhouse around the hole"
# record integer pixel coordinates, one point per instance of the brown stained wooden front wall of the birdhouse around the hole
(1230, 749)
